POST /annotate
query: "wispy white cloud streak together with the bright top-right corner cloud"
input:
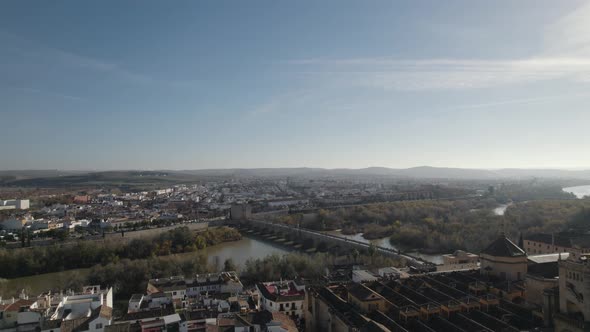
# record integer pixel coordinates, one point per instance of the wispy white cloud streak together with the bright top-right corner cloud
(566, 56)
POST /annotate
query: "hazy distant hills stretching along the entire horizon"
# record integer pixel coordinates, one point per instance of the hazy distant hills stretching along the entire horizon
(58, 177)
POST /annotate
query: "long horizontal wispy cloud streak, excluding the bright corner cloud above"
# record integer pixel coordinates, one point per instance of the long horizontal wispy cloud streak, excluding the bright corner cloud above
(447, 73)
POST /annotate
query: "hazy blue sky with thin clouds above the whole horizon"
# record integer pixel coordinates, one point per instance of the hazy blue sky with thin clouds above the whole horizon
(220, 84)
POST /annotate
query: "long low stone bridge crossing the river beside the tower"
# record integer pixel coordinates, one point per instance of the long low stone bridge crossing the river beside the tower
(293, 235)
